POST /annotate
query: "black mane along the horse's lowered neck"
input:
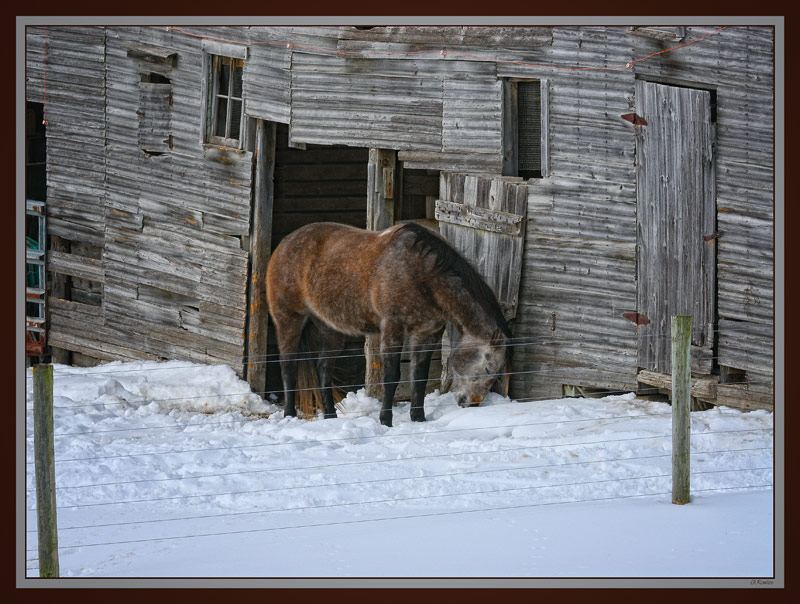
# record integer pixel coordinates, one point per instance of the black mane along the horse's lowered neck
(447, 261)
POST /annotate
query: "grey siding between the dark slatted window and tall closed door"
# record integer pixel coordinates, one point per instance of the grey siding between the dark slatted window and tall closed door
(578, 275)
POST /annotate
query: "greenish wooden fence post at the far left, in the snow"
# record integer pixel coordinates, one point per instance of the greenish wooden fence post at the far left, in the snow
(44, 460)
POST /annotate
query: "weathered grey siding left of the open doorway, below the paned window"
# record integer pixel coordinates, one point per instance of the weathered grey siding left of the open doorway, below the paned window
(179, 271)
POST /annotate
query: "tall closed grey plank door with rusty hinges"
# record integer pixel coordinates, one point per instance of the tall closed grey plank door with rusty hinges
(676, 222)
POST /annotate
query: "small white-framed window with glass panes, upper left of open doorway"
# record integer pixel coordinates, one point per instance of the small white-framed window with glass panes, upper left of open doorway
(226, 105)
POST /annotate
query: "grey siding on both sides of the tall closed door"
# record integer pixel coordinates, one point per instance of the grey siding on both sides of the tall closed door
(579, 272)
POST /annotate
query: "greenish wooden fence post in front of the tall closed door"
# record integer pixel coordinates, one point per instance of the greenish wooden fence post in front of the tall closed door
(681, 402)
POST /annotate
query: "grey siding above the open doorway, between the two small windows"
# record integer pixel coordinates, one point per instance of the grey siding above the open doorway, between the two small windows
(379, 89)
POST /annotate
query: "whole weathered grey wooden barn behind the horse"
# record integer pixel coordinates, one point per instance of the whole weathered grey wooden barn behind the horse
(602, 178)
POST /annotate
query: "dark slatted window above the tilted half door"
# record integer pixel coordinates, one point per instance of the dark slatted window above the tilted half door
(525, 129)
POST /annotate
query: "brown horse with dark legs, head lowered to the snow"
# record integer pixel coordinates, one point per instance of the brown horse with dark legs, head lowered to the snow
(403, 283)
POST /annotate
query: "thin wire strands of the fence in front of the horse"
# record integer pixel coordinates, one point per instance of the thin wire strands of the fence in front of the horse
(516, 343)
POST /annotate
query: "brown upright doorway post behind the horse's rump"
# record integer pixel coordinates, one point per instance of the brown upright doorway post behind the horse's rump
(260, 243)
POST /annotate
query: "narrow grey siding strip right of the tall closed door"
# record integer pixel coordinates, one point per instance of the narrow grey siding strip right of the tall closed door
(739, 65)
